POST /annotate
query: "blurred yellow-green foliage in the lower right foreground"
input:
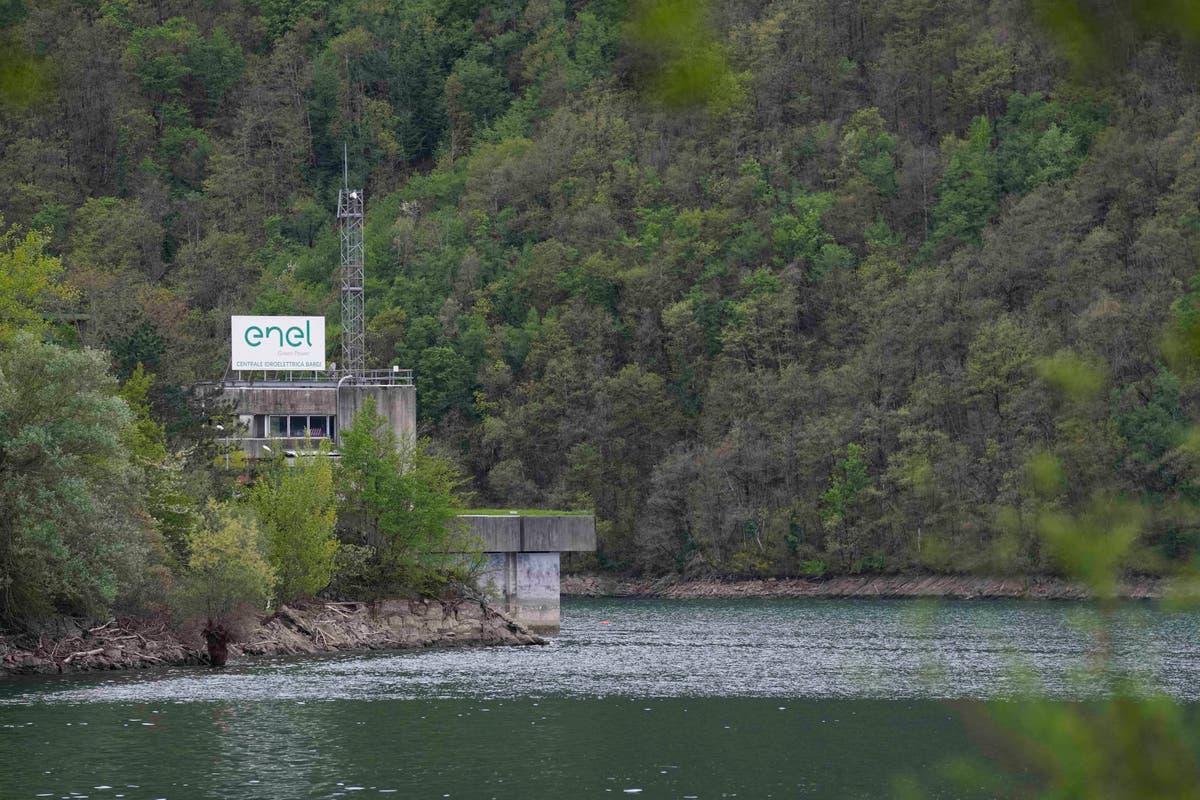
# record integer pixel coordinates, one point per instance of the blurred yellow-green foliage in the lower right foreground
(1124, 742)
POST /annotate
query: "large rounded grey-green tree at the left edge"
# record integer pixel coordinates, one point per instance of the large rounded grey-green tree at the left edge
(74, 536)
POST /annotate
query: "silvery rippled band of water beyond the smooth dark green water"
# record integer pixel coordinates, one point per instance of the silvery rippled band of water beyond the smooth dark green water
(753, 648)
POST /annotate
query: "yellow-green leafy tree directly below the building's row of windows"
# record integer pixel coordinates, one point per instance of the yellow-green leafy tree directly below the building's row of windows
(297, 513)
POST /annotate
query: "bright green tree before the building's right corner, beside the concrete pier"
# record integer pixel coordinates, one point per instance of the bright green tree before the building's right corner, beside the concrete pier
(400, 501)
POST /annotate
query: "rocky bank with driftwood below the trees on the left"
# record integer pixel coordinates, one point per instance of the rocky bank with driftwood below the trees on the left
(311, 629)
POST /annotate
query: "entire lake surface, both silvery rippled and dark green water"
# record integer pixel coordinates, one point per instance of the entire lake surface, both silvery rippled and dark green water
(635, 699)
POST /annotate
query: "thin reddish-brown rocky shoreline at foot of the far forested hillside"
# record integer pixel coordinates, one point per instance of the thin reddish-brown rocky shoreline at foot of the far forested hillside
(889, 586)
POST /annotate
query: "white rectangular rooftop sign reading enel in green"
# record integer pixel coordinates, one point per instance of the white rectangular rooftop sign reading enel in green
(279, 342)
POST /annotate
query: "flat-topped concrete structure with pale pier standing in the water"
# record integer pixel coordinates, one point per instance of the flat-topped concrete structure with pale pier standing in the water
(524, 556)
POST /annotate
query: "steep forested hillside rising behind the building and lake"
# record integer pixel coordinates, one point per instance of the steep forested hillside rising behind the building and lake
(776, 287)
